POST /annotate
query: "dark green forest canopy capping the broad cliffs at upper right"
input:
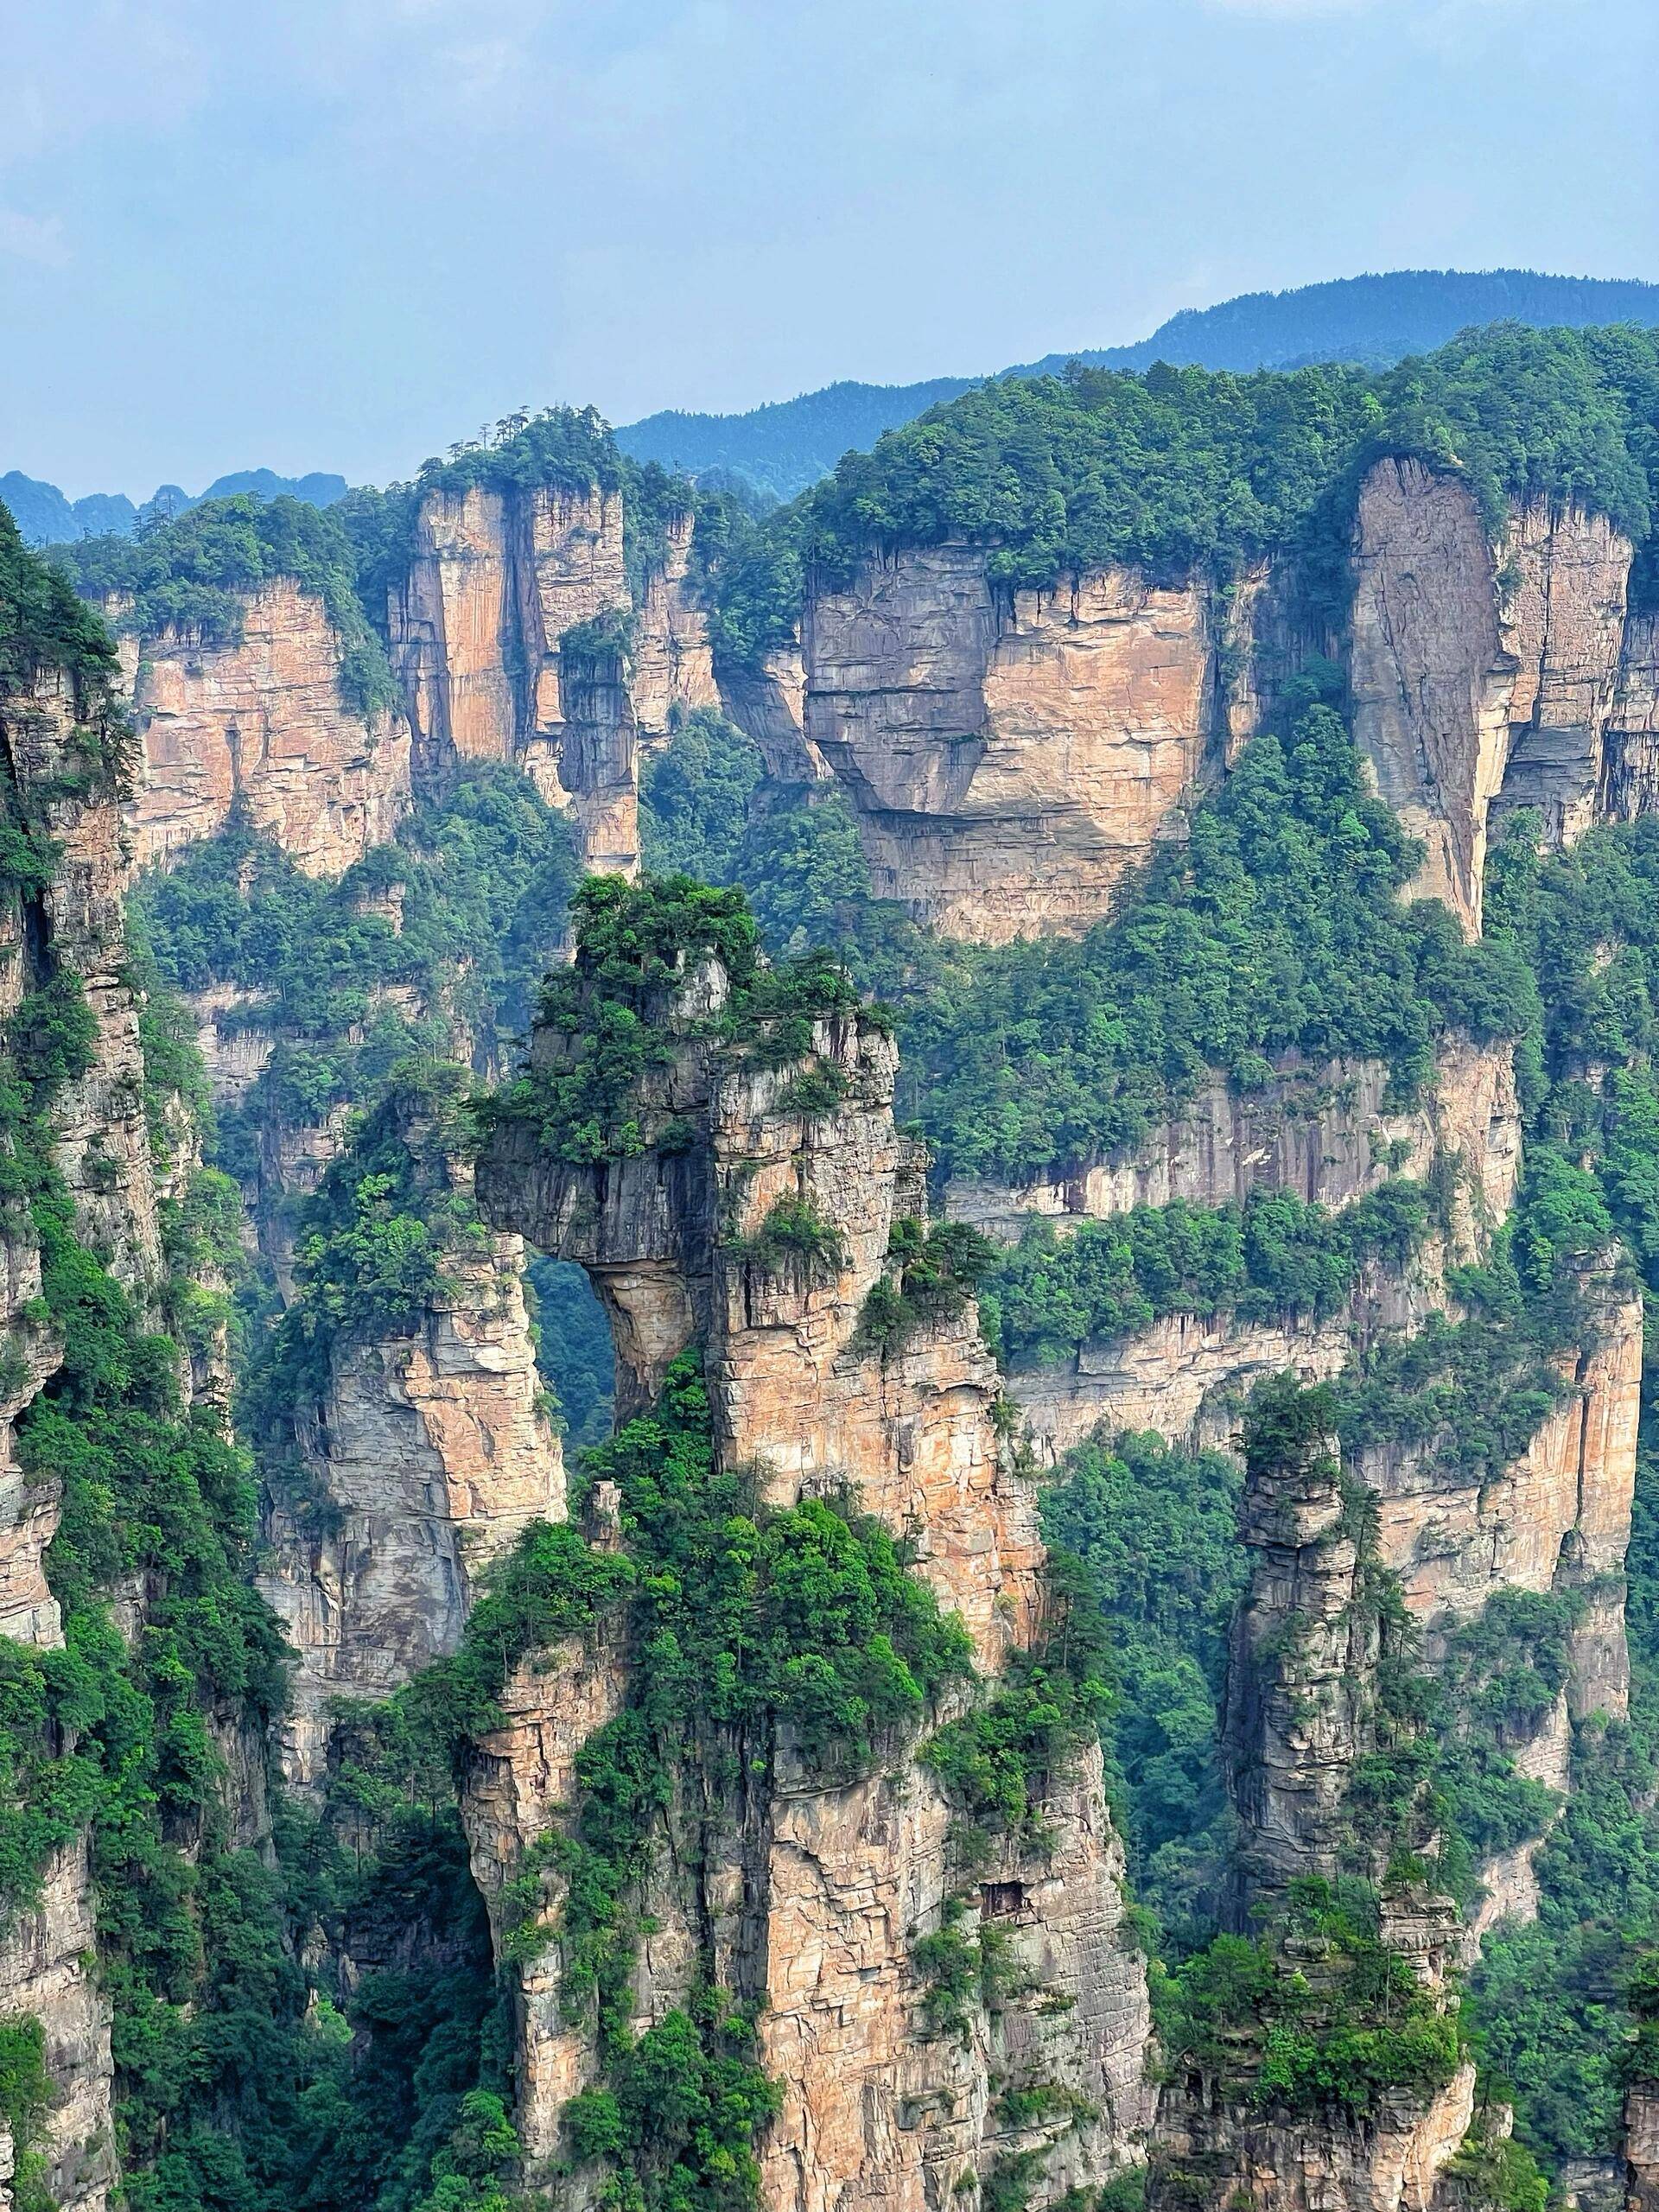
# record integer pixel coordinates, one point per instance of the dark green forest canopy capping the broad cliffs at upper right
(1187, 470)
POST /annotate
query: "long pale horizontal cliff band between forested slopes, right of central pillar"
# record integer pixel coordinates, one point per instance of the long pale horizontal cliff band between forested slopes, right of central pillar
(1326, 1134)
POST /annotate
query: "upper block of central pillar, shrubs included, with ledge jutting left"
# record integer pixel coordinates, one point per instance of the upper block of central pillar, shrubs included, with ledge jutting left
(755, 1211)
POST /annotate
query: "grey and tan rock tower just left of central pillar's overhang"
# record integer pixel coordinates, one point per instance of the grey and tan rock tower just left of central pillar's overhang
(426, 1452)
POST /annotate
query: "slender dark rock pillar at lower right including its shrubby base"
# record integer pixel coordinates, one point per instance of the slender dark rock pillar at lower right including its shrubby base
(1313, 1709)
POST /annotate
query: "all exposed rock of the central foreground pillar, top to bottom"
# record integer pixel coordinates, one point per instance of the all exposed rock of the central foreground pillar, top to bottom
(800, 1890)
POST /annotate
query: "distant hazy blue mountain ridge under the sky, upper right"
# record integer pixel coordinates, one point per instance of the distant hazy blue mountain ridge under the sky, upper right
(1373, 322)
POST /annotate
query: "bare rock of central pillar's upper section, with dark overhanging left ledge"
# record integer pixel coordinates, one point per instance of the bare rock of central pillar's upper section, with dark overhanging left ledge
(669, 1242)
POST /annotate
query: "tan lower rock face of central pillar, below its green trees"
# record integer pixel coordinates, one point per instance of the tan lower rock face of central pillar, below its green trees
(875, 2111)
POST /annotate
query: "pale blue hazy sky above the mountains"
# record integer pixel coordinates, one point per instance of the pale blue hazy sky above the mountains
(342, 233)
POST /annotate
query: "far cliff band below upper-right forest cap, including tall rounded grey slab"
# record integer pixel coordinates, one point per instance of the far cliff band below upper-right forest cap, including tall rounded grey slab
(1012, 755)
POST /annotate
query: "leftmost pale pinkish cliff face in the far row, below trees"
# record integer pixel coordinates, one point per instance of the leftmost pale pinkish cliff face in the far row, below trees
(260, 722)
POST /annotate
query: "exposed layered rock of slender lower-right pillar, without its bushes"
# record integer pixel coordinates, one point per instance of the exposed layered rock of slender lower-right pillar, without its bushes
(1302, 1715)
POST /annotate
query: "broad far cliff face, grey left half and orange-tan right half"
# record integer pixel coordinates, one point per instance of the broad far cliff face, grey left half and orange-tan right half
(1008, 758)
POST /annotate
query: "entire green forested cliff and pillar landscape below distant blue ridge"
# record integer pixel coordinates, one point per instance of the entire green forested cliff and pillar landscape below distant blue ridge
(826, 1333)
